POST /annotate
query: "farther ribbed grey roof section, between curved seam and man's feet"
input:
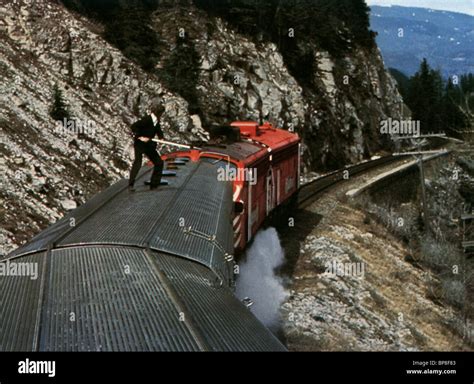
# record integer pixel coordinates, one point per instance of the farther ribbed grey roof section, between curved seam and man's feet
(156, 219)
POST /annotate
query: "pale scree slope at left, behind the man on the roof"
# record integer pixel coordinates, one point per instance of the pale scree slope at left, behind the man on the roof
(46, 170)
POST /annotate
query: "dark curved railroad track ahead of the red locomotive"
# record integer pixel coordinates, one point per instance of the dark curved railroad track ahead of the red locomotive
(310, 191)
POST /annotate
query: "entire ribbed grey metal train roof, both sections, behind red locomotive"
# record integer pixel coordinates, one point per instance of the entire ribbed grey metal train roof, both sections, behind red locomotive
(131, 275)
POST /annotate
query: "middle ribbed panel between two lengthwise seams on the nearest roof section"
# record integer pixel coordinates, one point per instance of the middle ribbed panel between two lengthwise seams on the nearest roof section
(109, 299)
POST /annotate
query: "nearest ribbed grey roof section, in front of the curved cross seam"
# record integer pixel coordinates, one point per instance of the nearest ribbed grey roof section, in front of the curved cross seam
(105, 298)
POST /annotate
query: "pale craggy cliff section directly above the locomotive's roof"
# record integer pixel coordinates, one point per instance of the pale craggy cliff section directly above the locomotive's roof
(237, 78)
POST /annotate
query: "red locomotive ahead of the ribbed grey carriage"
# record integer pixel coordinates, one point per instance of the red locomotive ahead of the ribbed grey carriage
(264, 165)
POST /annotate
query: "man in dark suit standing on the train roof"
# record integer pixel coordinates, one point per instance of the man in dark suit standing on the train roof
(144, 130)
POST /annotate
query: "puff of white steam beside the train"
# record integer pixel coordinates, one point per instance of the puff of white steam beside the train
(257, 279)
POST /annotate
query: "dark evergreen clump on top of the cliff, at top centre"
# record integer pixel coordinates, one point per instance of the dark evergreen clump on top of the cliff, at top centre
(329, 23)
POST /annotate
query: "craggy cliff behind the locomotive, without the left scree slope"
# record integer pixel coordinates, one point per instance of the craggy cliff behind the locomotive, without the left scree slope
(337, 111)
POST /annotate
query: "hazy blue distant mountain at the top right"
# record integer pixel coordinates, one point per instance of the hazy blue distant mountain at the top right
(445, 38)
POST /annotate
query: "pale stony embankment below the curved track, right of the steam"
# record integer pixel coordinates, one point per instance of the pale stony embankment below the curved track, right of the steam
(327, 312)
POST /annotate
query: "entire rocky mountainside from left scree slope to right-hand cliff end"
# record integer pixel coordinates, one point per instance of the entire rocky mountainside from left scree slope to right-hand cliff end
(206, 70)
